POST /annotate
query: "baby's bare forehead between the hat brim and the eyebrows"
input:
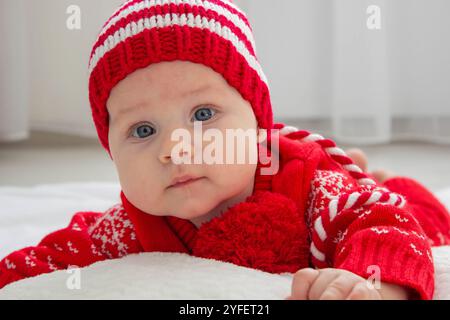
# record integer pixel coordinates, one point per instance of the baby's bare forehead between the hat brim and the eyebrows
(166, 83)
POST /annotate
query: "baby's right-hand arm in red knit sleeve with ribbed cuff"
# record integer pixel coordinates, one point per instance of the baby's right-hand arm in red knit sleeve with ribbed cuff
(378, 240)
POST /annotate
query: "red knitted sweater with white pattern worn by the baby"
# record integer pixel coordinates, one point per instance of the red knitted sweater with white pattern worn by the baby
(282, 227)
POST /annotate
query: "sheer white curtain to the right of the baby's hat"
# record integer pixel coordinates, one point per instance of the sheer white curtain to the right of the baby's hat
(329, 72)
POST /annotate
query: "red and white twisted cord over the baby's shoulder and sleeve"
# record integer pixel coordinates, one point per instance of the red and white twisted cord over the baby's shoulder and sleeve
(345, 200)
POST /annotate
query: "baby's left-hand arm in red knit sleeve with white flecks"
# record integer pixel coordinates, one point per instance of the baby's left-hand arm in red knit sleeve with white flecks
(90, 237)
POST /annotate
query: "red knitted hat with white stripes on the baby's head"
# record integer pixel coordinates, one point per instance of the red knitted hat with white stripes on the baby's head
(215, 33)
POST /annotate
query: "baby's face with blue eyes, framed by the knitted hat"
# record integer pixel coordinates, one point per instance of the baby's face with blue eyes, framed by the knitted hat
(146, 108)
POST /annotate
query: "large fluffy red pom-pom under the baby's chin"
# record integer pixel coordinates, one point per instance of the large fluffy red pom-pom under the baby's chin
(265, 232)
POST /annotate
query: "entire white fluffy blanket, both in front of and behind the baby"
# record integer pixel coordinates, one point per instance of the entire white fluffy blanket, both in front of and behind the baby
(29, 213)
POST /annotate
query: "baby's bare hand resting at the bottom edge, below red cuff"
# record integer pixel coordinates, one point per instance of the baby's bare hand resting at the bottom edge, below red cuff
(338, 284)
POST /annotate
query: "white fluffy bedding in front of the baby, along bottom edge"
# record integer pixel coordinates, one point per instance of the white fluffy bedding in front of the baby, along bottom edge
(176, 276)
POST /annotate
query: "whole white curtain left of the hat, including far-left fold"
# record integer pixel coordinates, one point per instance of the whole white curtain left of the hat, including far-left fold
(44, 65)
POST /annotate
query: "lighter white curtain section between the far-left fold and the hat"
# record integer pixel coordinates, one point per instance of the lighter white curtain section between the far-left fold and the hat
(59, 63)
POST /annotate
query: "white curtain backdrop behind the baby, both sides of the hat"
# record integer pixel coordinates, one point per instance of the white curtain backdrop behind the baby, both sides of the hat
(327, 71)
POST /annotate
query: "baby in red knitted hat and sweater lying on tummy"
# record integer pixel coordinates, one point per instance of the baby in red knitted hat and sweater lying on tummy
(159, 67)
